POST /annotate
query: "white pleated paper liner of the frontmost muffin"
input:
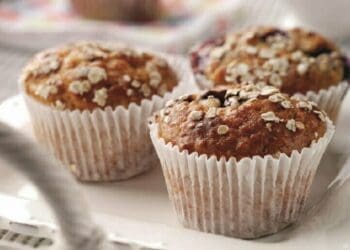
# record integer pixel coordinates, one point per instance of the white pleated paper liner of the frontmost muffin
(246, 199)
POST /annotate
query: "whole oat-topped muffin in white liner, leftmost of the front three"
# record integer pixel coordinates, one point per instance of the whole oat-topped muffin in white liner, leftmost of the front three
(89, 103)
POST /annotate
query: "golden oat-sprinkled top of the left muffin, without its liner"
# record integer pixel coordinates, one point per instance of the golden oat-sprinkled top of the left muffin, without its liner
(89, 75)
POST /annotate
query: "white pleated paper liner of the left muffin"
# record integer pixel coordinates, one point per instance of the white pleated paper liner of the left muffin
(109, 144)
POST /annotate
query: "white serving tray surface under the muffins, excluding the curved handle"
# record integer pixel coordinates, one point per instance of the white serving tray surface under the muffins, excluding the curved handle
(138, 210)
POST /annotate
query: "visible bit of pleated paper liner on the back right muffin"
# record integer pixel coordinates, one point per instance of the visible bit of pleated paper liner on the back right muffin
(330, 99)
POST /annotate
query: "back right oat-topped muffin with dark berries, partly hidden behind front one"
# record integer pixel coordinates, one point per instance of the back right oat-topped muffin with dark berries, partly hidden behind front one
(295, 61)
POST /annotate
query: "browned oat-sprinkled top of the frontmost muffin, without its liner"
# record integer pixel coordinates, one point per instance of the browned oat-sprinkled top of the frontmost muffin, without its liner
(239, 122)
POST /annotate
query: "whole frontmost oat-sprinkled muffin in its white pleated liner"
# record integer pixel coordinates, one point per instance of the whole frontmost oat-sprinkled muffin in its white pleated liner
(239, 161)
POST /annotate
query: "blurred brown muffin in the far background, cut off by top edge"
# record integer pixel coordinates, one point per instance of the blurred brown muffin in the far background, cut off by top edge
(127, 10)
